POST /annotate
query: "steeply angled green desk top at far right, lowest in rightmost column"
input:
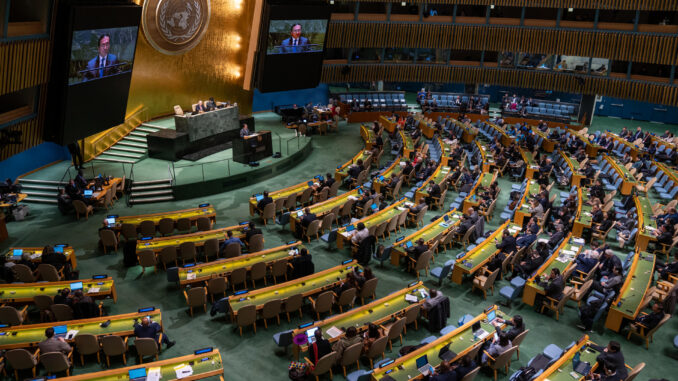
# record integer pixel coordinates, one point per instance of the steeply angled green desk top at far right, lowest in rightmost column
(635, 285)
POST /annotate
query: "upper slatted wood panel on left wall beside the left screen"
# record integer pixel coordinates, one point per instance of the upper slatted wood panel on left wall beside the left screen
(23, 64)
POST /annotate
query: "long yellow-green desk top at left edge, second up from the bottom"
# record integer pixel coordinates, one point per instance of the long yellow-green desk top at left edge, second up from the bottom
(31, 335)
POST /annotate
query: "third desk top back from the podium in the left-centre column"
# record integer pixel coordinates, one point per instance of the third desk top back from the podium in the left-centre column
(223, 267)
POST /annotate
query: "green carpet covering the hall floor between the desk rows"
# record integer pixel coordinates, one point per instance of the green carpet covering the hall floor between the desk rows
(254, 355)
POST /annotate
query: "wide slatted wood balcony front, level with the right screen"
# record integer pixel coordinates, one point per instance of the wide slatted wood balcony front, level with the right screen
(613, 45)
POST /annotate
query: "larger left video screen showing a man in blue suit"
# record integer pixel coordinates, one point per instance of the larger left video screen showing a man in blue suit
(100, 53)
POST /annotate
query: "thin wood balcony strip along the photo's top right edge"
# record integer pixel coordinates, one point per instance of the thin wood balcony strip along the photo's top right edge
(667, 5)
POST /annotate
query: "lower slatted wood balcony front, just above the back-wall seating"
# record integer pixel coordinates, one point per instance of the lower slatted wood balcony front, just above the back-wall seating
(643, 91)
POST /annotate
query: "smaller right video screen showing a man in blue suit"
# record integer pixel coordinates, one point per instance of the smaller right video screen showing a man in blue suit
(296, 36)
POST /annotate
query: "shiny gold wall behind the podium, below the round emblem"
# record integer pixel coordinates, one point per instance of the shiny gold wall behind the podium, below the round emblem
(214, 68)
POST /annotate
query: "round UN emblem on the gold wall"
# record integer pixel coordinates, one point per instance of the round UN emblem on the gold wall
(175, 26)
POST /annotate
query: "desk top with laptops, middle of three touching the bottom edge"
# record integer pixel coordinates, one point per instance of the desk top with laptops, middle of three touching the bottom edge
(459, 340)
